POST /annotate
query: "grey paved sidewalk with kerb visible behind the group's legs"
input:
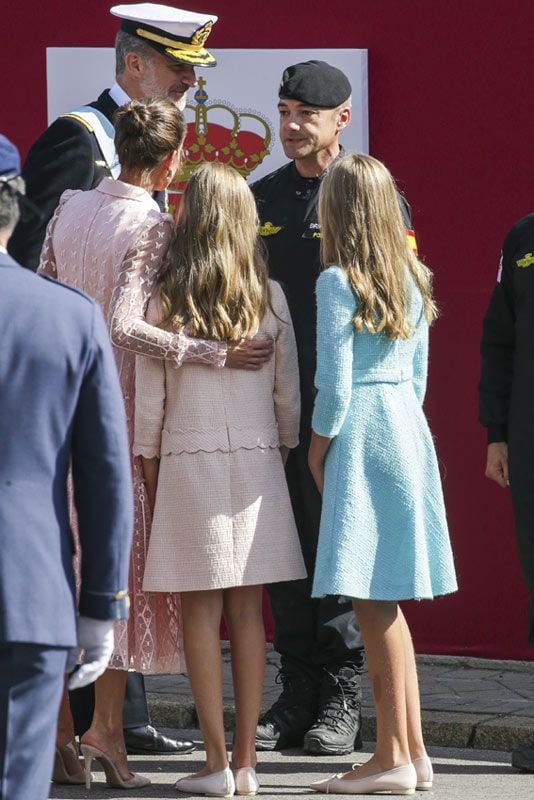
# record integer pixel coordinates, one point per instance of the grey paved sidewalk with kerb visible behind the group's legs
(466, 702)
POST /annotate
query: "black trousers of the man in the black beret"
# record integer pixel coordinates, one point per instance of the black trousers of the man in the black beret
(311, 634)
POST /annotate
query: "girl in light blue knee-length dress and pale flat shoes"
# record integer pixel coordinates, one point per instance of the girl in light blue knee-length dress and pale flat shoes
(383, 535)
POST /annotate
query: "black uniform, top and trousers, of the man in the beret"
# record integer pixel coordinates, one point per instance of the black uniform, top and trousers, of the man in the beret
(309, 633)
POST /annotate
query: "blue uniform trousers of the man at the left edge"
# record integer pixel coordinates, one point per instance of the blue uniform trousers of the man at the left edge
(31, 686)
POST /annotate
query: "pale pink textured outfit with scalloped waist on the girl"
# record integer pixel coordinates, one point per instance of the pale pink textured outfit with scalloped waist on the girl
(222, 515)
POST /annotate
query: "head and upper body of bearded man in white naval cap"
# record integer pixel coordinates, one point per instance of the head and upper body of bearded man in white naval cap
(157, 50)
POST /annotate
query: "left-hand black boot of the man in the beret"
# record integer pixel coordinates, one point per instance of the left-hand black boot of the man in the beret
(288, 719)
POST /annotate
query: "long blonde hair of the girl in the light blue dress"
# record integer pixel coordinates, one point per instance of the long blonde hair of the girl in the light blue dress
(363, 233)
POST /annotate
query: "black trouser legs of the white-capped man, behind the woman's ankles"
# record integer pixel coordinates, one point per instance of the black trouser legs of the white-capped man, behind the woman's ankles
(134, 711)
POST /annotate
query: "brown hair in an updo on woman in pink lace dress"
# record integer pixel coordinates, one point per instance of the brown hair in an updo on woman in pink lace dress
(146, 131)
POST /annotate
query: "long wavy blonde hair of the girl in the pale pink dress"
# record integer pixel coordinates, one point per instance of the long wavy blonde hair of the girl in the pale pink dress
(216, 279)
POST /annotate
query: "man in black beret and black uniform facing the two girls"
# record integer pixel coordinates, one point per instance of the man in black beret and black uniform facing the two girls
(319, 642)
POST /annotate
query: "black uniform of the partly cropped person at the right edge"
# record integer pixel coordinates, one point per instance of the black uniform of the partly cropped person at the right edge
(506, 388)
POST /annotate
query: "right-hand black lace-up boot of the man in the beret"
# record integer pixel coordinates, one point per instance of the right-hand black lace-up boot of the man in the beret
(337, 728)
